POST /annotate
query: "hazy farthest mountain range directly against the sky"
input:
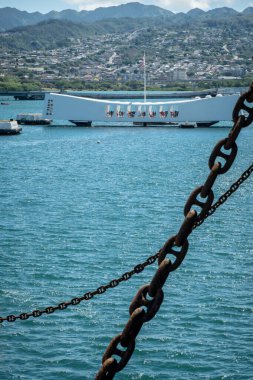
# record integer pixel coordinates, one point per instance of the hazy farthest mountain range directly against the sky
(11, 18)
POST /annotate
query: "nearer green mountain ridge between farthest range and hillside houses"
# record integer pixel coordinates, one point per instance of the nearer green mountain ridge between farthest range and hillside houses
(64, 32)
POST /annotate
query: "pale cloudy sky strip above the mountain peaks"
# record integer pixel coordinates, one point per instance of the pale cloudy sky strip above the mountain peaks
(45, 6)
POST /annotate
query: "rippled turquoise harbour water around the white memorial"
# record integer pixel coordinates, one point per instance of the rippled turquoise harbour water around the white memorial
(80, 207)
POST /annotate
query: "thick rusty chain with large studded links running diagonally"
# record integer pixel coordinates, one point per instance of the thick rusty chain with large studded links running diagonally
(149, 298)
